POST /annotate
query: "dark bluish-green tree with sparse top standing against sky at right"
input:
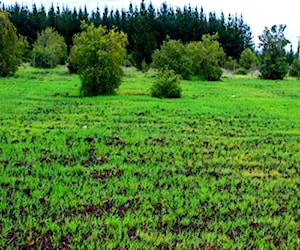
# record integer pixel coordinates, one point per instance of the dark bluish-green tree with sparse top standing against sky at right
(273, 61)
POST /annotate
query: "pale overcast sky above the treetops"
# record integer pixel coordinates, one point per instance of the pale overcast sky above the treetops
(256, 13)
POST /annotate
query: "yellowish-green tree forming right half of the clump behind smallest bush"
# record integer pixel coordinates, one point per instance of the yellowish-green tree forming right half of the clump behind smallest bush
(207, 57)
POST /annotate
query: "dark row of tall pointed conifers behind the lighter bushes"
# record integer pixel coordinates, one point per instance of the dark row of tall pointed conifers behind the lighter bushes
(145, 26)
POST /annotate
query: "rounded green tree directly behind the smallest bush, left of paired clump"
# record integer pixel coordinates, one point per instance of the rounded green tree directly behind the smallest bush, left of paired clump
(173, 56)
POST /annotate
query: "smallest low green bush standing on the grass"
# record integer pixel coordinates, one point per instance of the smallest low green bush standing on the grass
(166, 85)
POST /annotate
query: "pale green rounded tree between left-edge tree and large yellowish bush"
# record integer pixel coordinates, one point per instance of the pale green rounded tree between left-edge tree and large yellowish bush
(49, 49)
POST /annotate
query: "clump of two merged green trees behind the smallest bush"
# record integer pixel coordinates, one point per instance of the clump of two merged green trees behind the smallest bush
(203, 59)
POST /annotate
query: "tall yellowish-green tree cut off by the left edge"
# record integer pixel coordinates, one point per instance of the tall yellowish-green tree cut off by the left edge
(9, 58)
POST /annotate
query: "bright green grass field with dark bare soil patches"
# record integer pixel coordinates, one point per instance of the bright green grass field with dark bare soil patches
(217, 169)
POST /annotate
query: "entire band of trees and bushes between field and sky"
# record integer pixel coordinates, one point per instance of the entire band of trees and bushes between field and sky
(144, 37)
